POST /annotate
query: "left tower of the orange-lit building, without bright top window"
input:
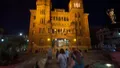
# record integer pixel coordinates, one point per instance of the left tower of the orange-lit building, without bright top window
(39, 24)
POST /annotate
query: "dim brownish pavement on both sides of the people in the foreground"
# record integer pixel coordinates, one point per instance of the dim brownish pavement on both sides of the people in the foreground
(89, 58)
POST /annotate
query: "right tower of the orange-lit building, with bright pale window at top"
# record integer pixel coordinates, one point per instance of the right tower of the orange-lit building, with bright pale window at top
(80, 20)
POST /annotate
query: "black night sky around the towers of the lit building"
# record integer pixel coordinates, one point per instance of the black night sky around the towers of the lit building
(15, 15)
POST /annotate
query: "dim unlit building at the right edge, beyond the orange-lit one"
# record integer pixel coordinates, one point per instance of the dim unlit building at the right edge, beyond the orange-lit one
(109, 36)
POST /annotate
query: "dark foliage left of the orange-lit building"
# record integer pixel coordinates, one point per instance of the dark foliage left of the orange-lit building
(9, 49)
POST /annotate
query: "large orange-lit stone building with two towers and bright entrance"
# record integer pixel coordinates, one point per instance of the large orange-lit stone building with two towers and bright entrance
(58, 28)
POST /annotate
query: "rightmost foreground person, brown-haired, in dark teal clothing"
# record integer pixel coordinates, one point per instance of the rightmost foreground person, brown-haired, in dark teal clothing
(78, 60)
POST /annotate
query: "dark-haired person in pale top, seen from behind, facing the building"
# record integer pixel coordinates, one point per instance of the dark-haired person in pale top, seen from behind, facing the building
(62, 59)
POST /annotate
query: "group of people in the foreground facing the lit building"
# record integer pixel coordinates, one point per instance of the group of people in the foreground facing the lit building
(69, 59)
